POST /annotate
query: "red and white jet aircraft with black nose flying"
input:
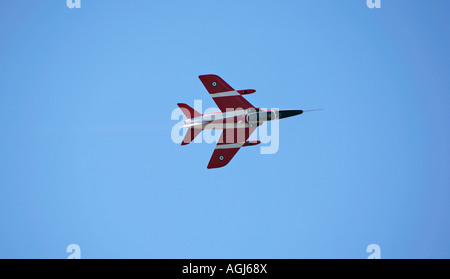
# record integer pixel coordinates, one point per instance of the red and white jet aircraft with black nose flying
(238, 119)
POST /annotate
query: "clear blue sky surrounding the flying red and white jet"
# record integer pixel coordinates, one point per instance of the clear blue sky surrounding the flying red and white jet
(86, 97)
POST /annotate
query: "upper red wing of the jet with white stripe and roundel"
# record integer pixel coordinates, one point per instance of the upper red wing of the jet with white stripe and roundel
(223, 94)
